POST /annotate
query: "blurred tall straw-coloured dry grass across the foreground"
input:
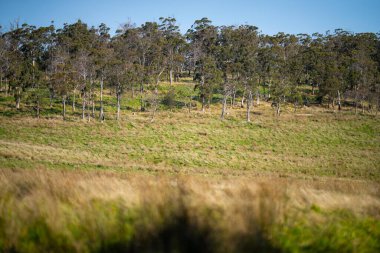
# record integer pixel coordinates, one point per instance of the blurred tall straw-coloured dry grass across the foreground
(79, 211)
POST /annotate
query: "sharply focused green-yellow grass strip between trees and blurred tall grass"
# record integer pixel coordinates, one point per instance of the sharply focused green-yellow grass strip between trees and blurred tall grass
(320, 145)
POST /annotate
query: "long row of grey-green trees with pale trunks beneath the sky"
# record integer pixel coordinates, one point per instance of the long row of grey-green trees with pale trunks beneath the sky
(235, 61)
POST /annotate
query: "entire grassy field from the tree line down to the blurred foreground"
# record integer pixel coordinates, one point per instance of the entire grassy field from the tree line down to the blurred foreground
(189, 182)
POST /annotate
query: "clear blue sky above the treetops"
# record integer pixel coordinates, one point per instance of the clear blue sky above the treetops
(271, 16)
